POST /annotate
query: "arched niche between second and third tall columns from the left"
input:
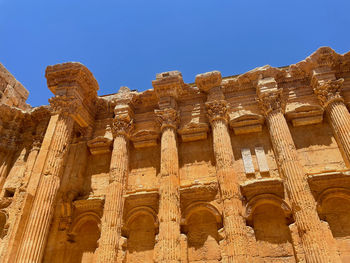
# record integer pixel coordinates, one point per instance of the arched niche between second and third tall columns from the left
(140, 229)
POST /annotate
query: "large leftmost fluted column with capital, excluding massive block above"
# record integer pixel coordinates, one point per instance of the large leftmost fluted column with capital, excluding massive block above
(37, 228)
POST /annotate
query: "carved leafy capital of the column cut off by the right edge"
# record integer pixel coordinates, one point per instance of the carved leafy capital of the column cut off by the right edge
(329, 91)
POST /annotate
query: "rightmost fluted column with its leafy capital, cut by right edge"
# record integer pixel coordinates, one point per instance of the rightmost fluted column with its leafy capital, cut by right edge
(328, 93)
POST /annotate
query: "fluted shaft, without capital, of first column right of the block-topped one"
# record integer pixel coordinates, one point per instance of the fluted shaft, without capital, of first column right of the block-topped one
(113, 209)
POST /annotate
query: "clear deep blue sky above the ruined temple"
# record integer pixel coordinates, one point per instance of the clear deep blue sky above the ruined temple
(125, 43)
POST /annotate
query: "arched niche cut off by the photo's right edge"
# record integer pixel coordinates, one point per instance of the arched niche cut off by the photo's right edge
(334, 207)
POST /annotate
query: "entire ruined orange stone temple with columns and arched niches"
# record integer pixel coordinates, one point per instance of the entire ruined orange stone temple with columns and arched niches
(247, 168)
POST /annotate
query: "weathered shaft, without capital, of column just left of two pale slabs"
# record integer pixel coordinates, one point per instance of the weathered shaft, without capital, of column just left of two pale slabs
(234, 223)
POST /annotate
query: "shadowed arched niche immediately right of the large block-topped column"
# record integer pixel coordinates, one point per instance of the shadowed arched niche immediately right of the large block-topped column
(83, 238)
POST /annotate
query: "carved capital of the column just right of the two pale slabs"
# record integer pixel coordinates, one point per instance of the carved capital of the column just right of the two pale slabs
(271, 101)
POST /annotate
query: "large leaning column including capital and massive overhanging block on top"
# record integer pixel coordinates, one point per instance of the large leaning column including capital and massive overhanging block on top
(75, 89)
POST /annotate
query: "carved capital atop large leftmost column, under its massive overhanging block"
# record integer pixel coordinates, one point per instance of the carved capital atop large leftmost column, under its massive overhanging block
(64, 105)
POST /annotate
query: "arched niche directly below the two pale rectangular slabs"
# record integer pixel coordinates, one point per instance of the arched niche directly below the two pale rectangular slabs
(270, 216)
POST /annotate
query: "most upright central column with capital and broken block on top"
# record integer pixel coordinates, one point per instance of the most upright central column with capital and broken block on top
(168, 244)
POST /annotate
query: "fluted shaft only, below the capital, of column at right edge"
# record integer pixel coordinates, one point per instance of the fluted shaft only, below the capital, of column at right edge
(339, 119)
